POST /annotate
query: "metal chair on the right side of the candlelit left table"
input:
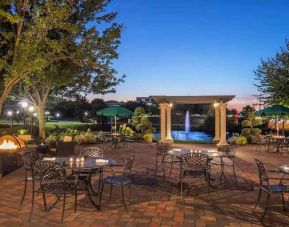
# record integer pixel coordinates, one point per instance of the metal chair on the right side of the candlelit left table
(121, 178)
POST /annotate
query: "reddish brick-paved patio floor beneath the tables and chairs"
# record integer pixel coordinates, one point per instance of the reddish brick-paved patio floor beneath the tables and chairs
(154, 202)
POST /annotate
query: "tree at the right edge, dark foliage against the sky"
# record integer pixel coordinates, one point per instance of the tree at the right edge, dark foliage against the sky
(272, 77)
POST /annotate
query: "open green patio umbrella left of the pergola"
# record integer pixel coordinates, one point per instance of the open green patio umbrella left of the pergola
(114, 111)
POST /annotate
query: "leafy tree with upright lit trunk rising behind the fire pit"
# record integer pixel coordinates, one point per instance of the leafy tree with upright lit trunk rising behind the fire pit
(85, 66)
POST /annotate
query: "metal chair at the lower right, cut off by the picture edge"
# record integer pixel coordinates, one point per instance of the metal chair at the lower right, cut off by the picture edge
(268, 188)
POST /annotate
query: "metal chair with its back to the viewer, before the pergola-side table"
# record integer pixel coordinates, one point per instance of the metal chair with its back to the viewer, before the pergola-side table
(195, 165)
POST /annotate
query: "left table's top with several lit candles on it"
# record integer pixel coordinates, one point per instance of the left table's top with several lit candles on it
(76, 163)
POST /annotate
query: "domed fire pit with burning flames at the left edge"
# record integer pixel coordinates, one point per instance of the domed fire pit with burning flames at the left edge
(11, 148)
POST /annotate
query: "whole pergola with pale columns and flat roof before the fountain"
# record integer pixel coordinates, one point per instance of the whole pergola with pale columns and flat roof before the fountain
(220, 104)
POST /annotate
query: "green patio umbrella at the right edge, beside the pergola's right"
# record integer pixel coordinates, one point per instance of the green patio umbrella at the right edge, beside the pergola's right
(272, 111)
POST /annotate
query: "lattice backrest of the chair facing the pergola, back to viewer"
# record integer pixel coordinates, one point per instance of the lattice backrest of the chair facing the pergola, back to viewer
(195, 161)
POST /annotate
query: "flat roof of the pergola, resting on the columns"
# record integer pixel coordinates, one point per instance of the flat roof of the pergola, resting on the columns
(208, 99)
